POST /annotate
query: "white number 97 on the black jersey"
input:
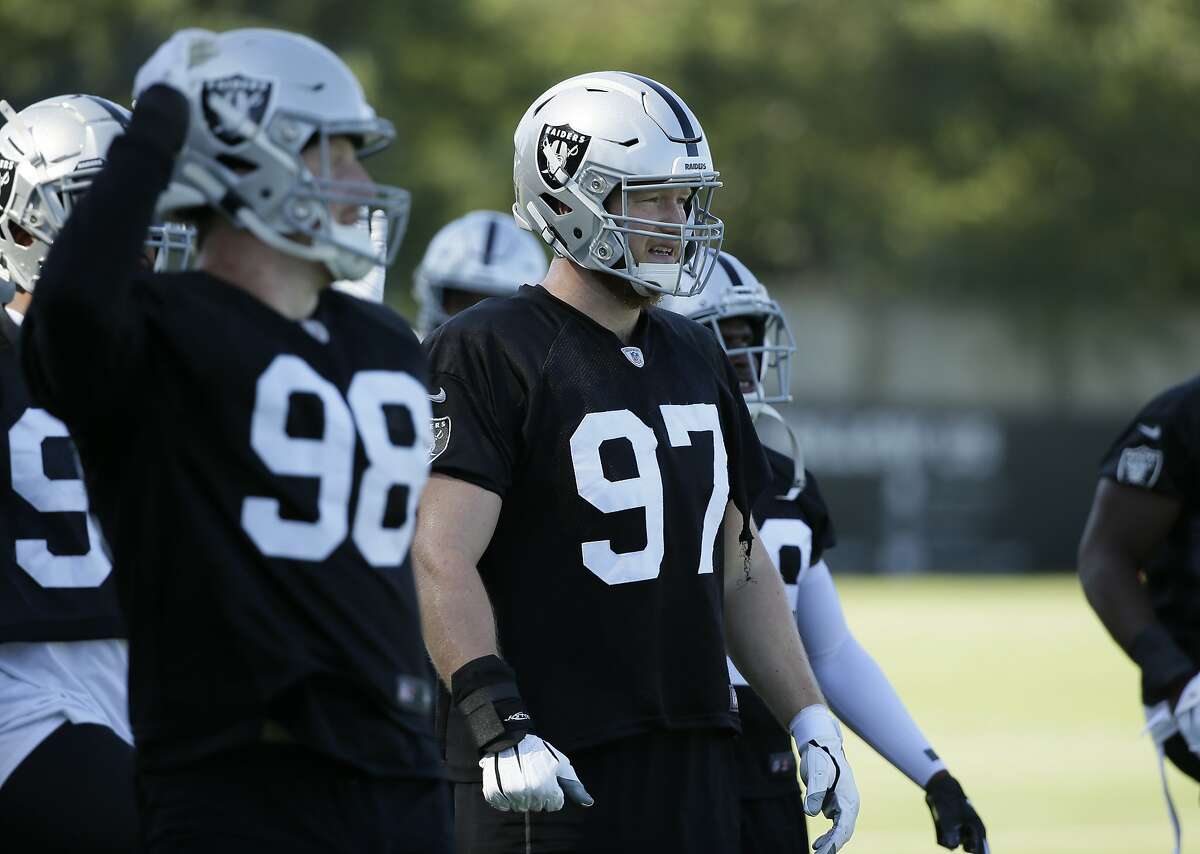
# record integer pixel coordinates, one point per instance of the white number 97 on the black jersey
(646, 489)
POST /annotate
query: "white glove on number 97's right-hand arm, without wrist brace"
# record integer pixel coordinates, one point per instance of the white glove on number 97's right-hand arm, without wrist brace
(829, 783)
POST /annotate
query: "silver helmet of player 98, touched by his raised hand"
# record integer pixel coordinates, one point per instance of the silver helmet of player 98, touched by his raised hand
(259, 99)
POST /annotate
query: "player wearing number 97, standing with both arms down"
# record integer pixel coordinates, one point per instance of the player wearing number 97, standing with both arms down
(590, 514)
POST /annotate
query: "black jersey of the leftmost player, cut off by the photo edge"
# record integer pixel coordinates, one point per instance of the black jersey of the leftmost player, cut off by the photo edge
(56, 578)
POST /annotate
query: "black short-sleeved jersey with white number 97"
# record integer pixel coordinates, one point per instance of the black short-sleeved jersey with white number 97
(615, 465)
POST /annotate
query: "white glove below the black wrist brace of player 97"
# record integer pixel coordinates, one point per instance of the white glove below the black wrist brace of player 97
(531, 777)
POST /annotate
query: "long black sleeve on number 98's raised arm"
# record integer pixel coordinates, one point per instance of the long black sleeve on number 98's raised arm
(82, 340)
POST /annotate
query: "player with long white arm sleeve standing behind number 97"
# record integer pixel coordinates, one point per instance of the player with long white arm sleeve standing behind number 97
(796, 530)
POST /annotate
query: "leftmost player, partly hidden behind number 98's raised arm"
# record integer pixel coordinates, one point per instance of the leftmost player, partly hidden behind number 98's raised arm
(67, 761)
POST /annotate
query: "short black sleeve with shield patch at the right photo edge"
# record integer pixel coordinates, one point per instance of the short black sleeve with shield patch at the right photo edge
(1157, 450)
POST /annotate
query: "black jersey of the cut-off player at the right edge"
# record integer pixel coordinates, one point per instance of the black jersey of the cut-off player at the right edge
(1160, 452)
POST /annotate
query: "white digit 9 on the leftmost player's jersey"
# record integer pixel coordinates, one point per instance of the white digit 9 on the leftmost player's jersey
(52, 496)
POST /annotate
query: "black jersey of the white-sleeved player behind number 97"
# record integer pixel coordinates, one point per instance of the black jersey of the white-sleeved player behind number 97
(797, 532)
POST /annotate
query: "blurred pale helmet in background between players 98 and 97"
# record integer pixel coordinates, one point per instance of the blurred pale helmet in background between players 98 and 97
(483, 252)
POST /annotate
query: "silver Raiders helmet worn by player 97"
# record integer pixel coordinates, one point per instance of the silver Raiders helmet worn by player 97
(597, 139)
